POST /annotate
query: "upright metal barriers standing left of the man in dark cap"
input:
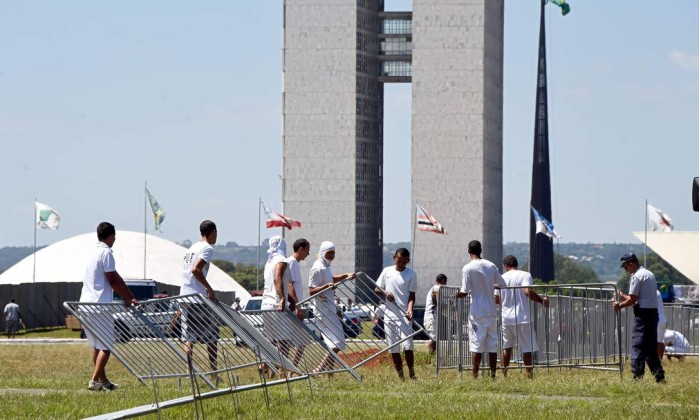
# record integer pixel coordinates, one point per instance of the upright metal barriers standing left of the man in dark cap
(579, 329)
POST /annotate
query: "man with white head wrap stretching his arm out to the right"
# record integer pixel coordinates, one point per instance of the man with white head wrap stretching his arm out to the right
(321, 285)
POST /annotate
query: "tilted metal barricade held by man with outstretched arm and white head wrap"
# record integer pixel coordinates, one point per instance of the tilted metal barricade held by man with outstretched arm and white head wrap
(350, 331)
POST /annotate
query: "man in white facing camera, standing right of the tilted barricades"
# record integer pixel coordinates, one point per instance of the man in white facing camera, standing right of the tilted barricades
(399, 284)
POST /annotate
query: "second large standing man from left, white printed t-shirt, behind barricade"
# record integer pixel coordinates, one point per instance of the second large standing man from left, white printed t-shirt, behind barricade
(198, 323)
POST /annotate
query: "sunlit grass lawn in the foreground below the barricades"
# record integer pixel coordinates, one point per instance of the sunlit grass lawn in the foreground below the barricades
(49, 381)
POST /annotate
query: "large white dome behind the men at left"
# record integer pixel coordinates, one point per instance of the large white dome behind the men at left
(65, 261)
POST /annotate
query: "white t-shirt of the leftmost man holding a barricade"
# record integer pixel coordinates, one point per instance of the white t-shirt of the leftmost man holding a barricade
(96, 288)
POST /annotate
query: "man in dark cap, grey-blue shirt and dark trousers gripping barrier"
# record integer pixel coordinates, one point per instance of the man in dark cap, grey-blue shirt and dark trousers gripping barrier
(642, 297)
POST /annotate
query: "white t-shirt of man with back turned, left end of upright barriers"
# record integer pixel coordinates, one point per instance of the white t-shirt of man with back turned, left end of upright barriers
(478, 278)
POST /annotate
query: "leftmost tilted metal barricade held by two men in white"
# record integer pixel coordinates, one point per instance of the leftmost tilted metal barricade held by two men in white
(151, 339)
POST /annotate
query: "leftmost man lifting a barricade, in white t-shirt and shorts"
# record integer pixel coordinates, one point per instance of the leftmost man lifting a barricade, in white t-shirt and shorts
(99, 280)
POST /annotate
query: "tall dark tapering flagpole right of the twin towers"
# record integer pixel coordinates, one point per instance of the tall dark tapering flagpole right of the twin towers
(541, 246)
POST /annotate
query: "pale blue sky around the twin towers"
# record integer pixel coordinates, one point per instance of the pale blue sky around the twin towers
(98, 97)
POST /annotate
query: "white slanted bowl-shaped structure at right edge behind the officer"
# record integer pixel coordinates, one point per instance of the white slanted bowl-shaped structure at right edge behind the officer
(679, 249)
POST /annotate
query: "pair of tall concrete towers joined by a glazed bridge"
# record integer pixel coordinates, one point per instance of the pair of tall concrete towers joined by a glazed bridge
(337, 55)
